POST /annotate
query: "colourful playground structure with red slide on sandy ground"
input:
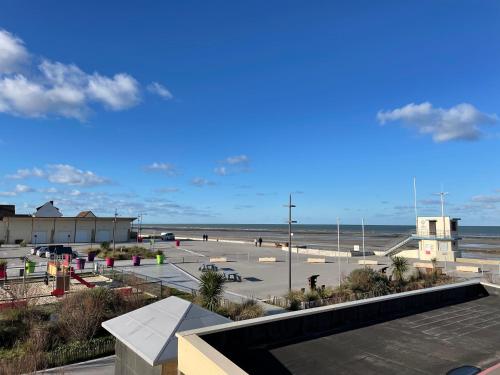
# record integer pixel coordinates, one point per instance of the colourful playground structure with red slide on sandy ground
(59, 272)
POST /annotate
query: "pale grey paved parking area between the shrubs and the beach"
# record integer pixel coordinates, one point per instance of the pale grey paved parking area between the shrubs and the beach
(258, 279)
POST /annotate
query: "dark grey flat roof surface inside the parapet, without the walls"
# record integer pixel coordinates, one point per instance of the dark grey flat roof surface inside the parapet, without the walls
(432, 342)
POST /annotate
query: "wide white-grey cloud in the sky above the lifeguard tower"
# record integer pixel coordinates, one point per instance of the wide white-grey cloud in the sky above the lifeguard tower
(461, 122)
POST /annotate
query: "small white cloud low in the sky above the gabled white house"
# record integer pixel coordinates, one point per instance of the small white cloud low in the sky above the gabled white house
(69, 175)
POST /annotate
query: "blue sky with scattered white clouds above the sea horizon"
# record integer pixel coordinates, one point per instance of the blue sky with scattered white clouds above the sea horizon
(212, 112)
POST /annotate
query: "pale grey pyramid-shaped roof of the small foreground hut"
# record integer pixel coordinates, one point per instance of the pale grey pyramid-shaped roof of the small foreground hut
(150, 330)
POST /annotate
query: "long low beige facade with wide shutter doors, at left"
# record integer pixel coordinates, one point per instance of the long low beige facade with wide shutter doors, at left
(63, 230)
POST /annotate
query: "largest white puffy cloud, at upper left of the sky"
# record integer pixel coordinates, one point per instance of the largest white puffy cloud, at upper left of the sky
(55, 88)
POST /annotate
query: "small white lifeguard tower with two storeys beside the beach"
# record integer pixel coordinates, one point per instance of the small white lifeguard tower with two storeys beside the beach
(437, 238)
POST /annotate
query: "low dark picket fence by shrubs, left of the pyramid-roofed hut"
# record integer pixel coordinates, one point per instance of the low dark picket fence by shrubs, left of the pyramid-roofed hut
(80, 351)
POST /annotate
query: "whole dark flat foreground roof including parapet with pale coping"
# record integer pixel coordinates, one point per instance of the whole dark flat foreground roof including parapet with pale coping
(448, 331)
